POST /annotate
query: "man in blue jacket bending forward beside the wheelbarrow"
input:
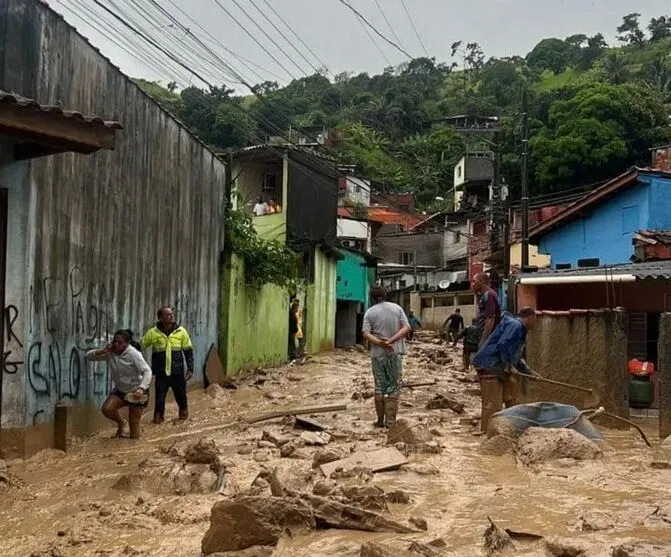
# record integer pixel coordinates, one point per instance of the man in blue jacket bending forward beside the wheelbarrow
(503, 349)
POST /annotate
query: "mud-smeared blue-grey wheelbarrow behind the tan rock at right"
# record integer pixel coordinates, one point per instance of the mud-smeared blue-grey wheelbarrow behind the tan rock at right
(547, 414)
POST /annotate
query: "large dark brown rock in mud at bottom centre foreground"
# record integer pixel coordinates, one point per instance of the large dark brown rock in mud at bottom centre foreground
(250, 521)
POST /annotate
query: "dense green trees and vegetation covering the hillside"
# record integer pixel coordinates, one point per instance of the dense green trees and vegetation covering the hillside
(594, 110)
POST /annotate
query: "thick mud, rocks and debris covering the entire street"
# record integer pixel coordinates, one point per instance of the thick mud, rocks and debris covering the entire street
(269, 464)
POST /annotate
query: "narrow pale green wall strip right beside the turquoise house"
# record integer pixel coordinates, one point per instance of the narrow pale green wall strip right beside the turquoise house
(321, 305)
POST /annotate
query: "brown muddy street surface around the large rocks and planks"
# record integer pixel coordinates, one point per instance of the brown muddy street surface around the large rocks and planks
(154, 496)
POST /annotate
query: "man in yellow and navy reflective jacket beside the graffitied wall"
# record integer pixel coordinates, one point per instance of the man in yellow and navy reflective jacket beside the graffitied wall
(171, 362)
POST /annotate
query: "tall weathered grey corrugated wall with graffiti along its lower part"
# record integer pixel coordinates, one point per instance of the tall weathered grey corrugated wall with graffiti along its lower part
(98, 242)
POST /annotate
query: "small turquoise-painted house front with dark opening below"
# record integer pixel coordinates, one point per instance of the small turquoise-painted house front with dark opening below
(356, 274)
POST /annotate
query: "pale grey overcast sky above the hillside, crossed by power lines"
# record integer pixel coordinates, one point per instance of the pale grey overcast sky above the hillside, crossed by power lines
(337, 37)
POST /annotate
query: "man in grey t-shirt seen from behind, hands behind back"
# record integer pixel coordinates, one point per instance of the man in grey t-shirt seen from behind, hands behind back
(385, 327)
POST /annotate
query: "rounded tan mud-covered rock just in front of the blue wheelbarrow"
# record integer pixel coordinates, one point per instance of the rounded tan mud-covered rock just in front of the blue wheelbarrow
(537, 445)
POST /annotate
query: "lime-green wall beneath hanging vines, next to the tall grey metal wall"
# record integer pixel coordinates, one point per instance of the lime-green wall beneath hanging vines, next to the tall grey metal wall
(254, 322)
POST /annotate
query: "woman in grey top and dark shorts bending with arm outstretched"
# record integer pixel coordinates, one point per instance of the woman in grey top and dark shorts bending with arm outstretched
(131, 376)
